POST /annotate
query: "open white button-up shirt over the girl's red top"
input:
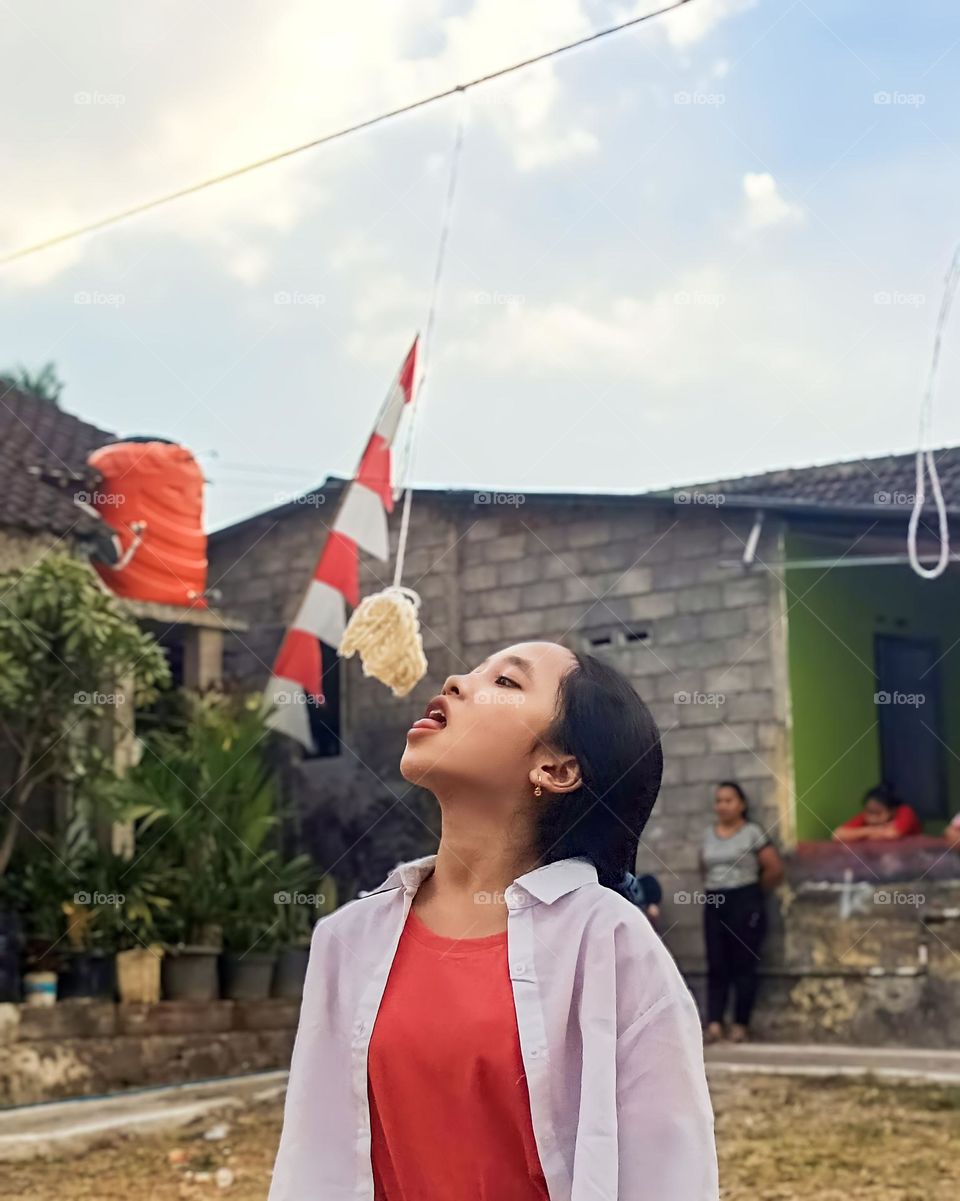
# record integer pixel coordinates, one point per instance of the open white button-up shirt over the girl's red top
(610, 1037)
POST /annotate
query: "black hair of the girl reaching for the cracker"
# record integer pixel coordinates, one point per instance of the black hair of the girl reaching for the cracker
(605, 725)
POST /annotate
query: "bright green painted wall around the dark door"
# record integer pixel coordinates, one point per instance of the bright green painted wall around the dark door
(833, 617)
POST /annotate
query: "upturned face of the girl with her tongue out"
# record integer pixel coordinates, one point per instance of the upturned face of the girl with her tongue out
(492, 719)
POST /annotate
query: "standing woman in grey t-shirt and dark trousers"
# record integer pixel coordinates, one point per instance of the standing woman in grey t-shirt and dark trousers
(738, 863)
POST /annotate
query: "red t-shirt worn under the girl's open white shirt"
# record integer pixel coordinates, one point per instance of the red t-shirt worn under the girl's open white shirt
(450, 1113)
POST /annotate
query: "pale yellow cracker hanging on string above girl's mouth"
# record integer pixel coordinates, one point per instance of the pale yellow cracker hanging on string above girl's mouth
(385, 631)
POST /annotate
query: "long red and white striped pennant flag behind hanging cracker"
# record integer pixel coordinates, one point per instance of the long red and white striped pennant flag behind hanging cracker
(361, 523)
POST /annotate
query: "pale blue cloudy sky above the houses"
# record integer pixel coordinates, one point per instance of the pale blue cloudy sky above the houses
(708, 247)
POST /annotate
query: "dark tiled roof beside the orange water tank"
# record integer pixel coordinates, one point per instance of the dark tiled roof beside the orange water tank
(35, 433)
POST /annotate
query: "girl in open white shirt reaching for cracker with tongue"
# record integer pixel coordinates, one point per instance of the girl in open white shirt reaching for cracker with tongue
(496, 1023)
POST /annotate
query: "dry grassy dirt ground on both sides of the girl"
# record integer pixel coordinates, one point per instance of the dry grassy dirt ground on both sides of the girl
(780, 1140)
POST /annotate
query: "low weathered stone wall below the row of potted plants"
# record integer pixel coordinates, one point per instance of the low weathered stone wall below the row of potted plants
(82, 1048)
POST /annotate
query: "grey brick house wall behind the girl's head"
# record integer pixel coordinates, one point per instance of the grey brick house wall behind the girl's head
(712, 666)
